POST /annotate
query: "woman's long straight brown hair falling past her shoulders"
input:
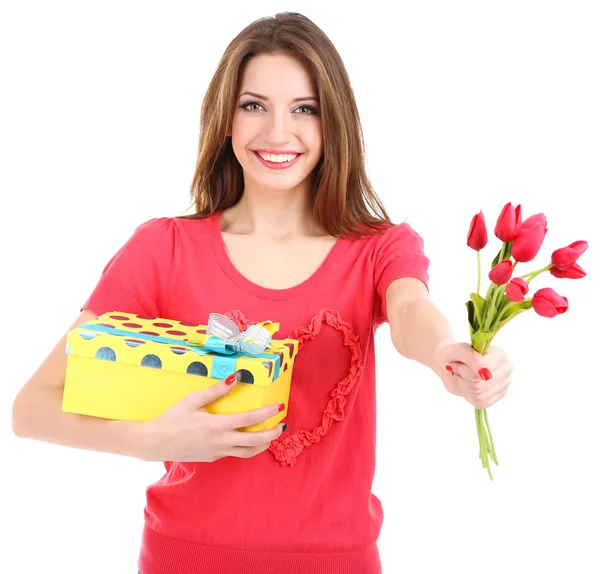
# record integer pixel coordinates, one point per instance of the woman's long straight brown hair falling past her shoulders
(341, 190)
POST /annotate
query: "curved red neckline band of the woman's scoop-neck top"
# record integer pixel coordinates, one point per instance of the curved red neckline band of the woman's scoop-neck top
(220, 250)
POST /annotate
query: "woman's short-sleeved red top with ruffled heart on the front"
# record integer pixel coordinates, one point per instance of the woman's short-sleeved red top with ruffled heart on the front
(305, 504)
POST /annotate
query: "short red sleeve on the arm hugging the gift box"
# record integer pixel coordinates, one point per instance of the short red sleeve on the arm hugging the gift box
(138, 277)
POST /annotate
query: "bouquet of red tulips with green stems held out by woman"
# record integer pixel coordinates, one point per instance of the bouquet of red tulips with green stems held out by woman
(506, 296)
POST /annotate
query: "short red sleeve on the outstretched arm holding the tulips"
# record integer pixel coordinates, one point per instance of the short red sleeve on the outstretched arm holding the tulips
(399, 253)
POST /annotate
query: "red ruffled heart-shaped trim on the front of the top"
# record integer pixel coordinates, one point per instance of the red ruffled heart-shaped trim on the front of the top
(286, 449)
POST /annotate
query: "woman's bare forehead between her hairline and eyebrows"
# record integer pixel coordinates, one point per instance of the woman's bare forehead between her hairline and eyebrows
(276, 75)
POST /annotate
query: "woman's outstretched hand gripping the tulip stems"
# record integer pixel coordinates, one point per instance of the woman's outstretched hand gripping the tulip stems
(481, 379)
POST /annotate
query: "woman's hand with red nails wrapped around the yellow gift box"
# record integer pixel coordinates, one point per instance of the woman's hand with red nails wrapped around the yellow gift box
(186, 432)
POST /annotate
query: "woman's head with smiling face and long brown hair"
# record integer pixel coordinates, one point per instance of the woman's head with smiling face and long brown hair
(280, 114)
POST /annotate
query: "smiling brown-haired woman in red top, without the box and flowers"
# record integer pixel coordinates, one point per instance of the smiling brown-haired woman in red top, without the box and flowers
(283, 232)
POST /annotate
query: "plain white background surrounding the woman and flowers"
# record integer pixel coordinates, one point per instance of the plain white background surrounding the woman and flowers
(465, 106)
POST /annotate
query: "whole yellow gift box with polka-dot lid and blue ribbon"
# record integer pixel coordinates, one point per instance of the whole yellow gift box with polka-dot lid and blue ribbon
(132, 367)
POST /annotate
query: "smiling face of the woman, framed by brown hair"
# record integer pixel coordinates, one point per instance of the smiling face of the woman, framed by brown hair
(282, 115)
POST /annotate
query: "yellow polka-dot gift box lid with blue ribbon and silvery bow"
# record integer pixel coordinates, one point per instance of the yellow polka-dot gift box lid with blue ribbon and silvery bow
(177, 346)
